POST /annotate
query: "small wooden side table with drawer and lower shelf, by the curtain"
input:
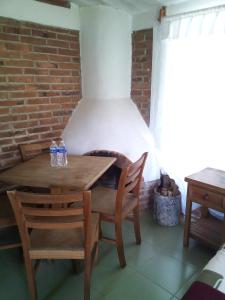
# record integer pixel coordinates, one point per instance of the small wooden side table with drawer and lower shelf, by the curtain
(206, 188)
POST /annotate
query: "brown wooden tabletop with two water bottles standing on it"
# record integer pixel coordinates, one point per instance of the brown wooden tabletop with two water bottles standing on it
(80, 174)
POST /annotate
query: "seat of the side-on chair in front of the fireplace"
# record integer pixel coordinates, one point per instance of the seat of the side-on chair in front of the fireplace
(103, 201)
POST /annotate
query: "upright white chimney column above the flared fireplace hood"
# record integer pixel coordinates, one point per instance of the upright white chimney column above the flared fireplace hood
(105, 52)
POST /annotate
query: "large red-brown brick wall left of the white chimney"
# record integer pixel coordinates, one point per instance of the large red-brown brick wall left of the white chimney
(40, 83)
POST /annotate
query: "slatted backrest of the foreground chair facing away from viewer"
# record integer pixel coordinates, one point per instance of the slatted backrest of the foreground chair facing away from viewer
(46, 212)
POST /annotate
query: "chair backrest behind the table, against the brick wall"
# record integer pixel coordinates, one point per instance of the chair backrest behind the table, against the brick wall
(29, 151)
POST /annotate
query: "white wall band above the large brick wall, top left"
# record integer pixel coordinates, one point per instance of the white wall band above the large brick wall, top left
(33, 11)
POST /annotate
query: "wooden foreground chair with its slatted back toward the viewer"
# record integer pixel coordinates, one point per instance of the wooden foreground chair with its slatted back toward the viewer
(56, 232)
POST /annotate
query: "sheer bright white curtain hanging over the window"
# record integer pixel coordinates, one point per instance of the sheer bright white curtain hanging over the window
(188, 94)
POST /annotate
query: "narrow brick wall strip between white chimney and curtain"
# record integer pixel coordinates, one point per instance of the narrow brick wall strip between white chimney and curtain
(141, 70)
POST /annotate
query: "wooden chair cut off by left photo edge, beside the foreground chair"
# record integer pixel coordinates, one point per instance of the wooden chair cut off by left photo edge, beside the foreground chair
(7, 219)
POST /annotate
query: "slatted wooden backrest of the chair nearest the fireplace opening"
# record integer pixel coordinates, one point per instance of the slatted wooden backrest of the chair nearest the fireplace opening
(130, 181)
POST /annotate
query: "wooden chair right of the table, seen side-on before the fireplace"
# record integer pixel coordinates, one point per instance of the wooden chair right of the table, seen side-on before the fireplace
(116, 205)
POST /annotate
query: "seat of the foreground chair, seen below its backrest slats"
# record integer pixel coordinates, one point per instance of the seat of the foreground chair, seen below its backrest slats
(62, 243)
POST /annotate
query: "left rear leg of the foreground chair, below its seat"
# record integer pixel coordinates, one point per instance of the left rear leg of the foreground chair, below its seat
(30, 278)
